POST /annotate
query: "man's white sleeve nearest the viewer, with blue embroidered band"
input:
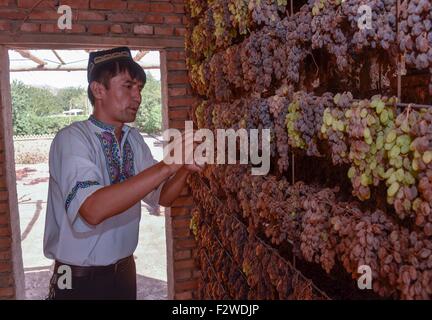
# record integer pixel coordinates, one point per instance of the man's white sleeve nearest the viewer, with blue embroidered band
(77, 175)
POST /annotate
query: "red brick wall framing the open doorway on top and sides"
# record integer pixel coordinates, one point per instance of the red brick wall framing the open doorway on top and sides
(157, 25)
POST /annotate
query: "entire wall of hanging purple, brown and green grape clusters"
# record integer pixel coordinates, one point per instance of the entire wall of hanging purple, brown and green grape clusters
(256, 65)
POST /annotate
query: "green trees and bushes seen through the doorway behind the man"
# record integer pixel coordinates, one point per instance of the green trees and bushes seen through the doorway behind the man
(39, 110)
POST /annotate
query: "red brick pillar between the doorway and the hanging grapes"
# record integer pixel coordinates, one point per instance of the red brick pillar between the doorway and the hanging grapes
(182, 272)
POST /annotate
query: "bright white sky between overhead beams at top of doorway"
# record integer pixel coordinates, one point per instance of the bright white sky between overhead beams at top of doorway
(62, 79)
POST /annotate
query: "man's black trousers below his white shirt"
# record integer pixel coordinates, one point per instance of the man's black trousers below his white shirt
(115, 282)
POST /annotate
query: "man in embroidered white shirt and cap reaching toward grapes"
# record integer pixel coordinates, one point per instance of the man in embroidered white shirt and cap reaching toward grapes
(100, 170)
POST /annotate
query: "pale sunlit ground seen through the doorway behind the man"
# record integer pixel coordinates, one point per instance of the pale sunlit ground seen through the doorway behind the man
(32, 188)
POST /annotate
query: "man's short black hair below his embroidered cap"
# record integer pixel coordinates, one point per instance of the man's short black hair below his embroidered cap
(109, 70)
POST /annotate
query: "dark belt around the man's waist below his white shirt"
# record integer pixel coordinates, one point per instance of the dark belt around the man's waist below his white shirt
(91, 271)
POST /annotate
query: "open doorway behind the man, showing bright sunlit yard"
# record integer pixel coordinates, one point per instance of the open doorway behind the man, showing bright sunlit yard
(48, 90)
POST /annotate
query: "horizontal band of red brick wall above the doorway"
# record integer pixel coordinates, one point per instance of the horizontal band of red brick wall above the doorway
(96, 17)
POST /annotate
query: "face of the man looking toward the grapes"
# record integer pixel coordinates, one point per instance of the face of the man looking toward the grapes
(123, 98)
